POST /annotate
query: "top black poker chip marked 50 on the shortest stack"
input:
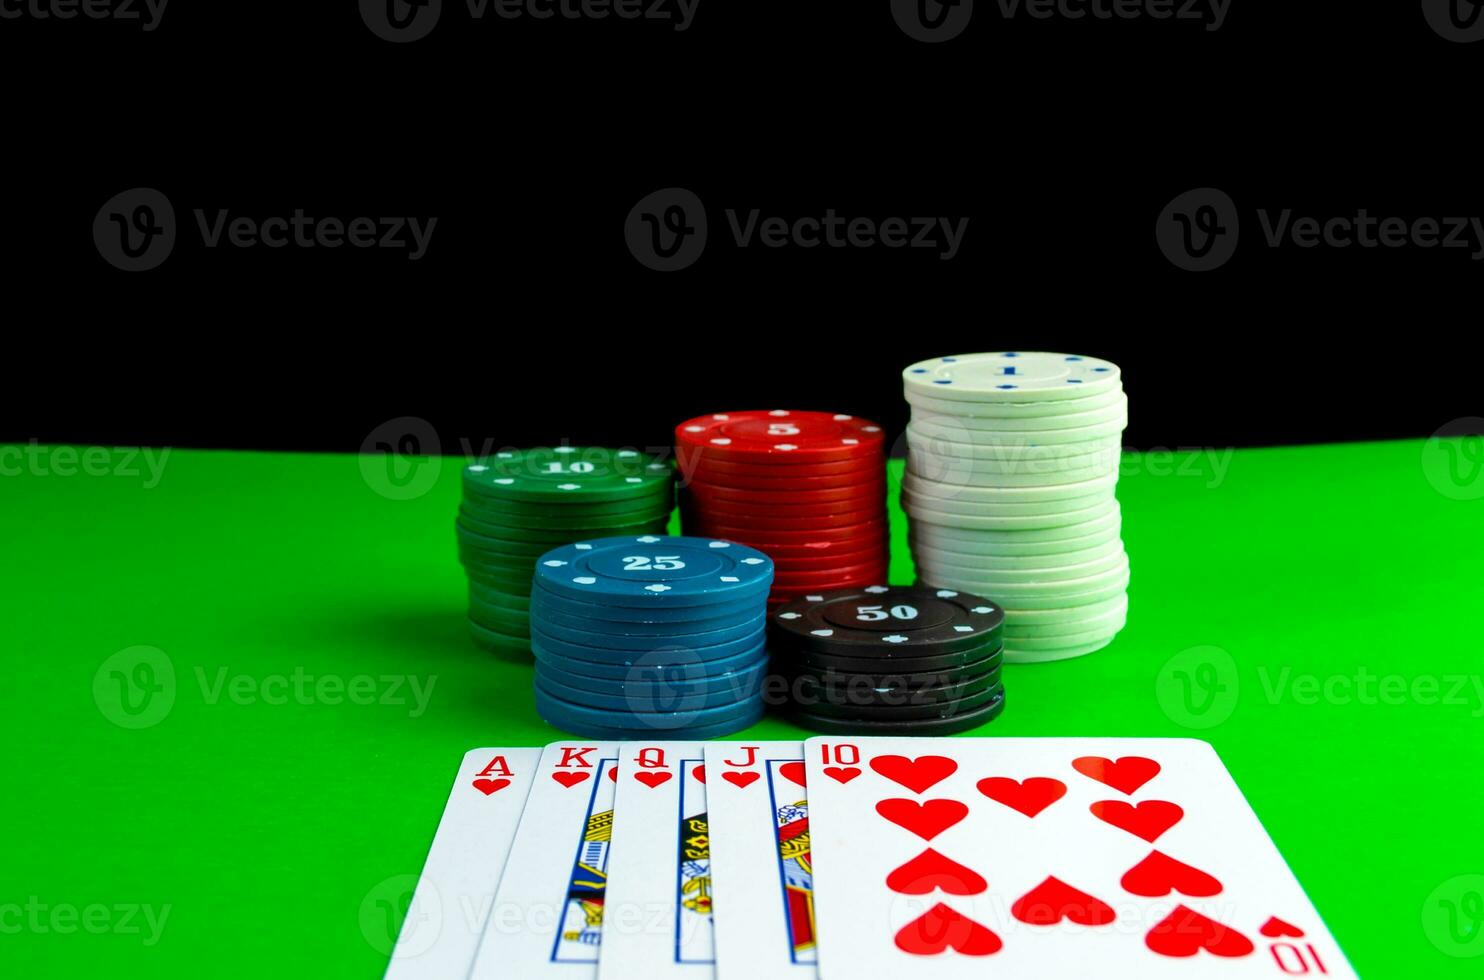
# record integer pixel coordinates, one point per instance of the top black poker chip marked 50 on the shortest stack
(891, 621)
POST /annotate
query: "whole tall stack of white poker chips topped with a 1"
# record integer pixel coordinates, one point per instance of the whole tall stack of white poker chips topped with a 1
(1010, 494)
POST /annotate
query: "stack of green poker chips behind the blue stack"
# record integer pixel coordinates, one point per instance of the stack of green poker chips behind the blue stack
(520, 504)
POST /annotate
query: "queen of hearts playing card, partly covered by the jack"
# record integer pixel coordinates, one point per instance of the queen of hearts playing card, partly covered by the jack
(658, 921)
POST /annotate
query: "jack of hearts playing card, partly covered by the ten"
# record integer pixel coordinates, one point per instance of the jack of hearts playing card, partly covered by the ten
(761, 855)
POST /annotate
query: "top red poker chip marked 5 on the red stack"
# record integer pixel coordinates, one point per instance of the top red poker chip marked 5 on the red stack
(781, 437)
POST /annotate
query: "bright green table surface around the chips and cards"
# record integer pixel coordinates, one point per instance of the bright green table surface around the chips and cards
(1313, 612)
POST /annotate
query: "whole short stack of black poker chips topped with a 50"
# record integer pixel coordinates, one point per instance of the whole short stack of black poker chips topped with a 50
(890, 660)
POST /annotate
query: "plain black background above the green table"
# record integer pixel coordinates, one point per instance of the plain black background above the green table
(531, 323)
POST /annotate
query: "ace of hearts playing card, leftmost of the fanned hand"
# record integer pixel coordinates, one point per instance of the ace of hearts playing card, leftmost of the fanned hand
(443, 923)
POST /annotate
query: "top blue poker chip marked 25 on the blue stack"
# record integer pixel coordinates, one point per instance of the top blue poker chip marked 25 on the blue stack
(655, 571)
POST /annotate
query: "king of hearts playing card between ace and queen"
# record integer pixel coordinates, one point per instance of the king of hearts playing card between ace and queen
(548, 912)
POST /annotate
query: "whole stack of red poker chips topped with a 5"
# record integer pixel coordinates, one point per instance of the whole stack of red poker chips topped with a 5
(805, 488)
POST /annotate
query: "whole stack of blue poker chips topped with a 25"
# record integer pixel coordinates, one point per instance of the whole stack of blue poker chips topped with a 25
(651, 636)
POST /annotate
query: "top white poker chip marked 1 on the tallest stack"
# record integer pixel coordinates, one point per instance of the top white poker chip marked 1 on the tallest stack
(1013, 376)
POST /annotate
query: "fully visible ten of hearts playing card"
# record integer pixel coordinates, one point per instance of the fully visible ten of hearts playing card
(1048, 857)
